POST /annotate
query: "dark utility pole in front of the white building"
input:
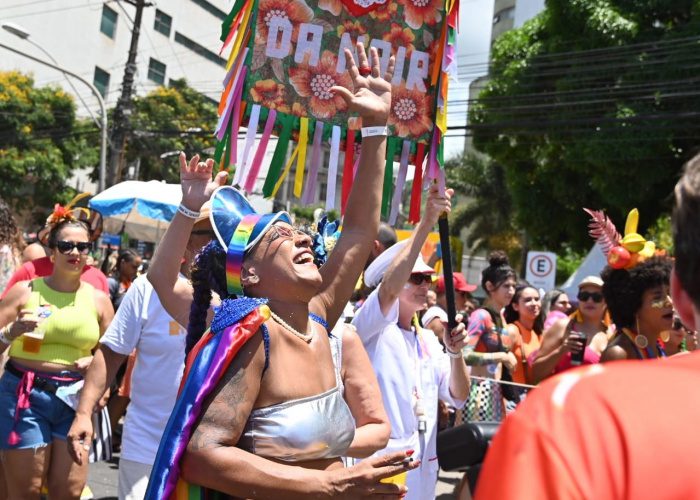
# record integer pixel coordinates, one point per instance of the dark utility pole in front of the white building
(122, 111)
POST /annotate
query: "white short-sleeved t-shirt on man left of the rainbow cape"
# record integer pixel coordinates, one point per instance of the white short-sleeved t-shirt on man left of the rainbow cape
(141, 323)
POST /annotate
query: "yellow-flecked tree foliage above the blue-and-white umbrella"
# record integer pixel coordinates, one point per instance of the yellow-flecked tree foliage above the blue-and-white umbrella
(169, 119)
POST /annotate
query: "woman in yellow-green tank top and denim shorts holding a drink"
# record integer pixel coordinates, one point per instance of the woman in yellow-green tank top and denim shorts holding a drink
(50, 326)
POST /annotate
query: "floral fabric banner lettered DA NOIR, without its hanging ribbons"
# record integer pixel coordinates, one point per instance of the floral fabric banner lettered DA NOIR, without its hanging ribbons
(298, 55)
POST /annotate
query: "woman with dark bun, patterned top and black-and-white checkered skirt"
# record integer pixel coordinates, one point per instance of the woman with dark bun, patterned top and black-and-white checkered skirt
(488, 346)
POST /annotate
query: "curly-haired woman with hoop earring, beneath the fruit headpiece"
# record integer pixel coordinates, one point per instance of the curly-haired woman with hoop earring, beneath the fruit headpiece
(640, 306)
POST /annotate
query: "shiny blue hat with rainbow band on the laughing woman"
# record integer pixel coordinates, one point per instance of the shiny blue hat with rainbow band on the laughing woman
(238, 227)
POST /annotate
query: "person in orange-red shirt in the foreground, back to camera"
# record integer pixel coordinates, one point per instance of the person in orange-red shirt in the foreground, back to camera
(619, 430)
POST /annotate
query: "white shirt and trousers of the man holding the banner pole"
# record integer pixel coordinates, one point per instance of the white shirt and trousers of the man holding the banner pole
(407, 364)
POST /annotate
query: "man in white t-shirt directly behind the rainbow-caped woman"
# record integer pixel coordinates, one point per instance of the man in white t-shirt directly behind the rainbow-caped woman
(141, 323)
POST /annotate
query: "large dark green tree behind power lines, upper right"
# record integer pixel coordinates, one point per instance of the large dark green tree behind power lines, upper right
(593, 103)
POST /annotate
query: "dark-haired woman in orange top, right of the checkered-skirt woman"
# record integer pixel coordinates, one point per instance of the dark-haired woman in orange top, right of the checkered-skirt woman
(525, 320)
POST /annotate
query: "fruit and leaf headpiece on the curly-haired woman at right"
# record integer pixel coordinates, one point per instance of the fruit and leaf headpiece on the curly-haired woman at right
(623, 252)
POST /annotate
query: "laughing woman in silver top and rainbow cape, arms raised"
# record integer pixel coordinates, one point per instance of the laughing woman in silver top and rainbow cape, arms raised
(262, 413)
